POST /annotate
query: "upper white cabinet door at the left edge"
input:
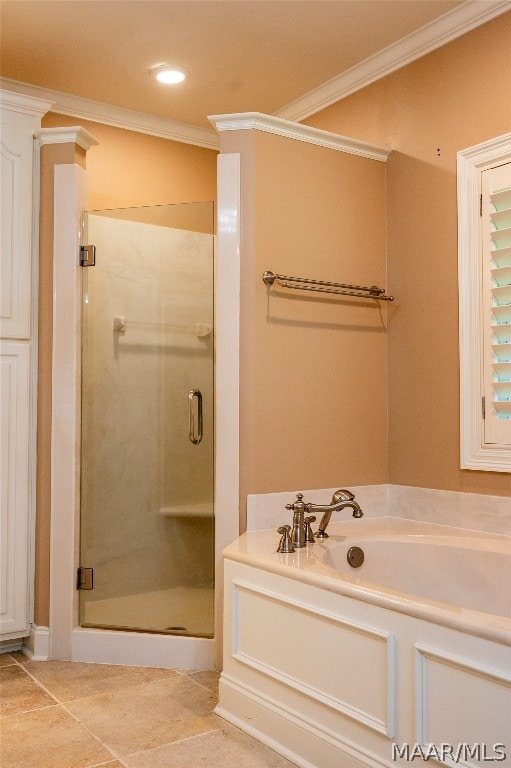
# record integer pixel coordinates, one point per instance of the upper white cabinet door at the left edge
(16, 232)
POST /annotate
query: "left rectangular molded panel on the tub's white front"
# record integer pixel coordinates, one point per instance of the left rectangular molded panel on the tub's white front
(275, 635)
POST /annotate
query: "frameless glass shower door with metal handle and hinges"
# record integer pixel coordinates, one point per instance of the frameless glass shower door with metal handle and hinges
(147, 523)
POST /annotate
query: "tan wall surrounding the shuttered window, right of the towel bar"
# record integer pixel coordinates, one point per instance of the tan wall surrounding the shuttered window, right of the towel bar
(451, 99)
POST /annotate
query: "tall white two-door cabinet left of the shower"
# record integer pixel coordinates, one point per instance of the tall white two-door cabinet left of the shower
(20, 117)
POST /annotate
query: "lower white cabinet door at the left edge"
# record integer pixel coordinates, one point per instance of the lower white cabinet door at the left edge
(14, 485)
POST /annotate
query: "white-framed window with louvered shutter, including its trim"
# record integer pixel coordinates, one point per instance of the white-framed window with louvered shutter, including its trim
(484, 246)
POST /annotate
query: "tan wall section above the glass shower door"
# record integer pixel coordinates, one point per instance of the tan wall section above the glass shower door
(129, 168)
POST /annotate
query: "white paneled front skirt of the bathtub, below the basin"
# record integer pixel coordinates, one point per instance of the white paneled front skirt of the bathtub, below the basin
(291, 645)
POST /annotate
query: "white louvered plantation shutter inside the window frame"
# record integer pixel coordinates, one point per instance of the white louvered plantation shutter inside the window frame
(496, 298)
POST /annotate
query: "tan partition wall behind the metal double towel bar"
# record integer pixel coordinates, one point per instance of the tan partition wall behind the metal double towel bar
(313, 409)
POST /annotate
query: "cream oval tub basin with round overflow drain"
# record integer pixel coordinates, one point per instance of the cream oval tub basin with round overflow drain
(433, 565)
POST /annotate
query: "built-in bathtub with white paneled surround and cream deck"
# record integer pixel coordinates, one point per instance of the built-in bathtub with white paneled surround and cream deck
(336, 666)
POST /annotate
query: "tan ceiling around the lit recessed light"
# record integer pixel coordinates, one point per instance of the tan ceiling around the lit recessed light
(241, 55)
